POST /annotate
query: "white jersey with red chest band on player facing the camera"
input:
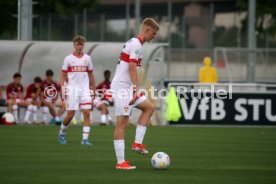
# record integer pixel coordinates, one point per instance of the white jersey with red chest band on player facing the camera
(77, 68)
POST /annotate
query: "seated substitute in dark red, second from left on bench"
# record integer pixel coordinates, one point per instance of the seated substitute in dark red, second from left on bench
(33, 97)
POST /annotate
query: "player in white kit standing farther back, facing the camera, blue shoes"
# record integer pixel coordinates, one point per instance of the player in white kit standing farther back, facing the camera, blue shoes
(77, 72)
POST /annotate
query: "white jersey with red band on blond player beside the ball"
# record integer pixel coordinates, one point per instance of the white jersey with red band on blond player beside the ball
(131, 52)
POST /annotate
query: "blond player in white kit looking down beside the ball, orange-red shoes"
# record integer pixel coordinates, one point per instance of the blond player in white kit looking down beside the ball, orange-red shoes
(126, 93)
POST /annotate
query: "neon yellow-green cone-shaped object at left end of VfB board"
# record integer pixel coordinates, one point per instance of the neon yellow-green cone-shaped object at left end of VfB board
(173, 110)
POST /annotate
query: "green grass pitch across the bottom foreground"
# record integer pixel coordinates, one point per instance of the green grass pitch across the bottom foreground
(215, 155)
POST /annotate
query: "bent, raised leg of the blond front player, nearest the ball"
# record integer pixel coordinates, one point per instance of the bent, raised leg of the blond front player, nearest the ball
(147, 110)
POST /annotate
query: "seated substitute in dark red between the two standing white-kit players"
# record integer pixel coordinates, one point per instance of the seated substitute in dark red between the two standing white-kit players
(105, 99)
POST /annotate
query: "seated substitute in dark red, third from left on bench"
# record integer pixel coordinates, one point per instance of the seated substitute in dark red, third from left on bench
(50, 99)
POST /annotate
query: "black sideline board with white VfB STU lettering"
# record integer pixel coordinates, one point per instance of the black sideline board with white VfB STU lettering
(226, 104)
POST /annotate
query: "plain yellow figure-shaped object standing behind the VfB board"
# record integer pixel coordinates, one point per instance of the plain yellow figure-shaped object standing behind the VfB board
(207, 73)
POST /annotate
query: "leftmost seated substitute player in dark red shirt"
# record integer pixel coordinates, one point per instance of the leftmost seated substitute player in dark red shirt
(15, 96)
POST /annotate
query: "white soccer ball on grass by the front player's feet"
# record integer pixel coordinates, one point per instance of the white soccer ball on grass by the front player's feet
(160, 160)
